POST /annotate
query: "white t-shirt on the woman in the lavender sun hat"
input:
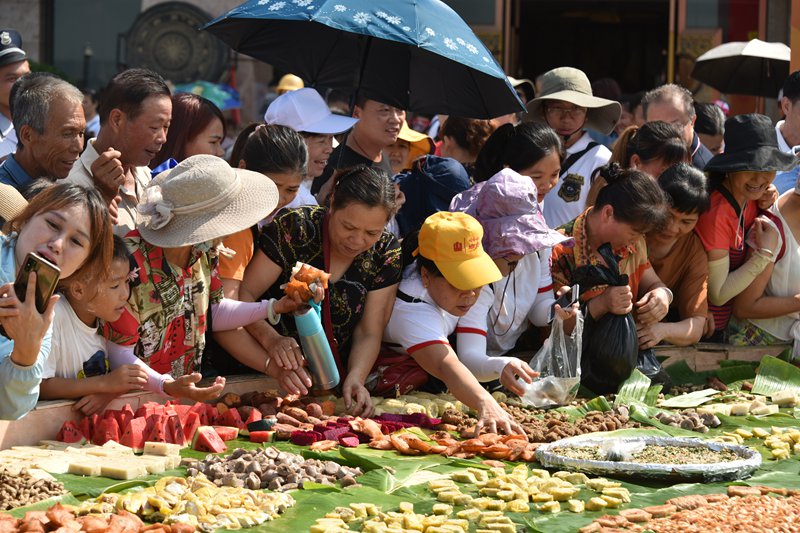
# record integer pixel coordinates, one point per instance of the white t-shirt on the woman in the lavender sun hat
(518, 302)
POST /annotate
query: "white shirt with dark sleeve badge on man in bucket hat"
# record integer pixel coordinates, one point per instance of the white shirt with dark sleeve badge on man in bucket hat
(567, 199)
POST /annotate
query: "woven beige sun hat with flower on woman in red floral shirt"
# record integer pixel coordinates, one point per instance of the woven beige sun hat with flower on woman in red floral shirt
(201, 199)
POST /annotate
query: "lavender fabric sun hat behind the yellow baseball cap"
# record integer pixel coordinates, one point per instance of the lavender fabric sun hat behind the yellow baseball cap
(512, 221)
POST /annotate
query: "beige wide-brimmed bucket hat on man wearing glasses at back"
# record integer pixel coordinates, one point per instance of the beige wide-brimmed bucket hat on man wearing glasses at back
(571, 85)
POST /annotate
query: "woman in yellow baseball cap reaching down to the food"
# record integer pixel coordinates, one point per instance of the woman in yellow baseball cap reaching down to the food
(434, 301)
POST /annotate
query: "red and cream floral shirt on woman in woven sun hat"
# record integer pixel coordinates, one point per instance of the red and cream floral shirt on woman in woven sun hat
(168, 306)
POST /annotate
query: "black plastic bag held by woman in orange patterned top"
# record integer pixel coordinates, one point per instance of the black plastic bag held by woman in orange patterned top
(610, 343)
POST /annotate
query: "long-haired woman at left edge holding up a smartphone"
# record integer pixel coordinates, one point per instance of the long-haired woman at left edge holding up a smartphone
(69, 226)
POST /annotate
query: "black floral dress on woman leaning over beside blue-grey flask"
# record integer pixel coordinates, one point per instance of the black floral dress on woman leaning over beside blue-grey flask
(296, 235)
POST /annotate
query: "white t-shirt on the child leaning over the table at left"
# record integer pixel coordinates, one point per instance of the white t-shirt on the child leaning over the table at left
(77, 350)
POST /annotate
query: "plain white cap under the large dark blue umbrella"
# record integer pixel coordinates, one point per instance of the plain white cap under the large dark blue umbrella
(304, 110)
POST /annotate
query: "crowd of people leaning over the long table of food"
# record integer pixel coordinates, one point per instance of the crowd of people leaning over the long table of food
(447, 249)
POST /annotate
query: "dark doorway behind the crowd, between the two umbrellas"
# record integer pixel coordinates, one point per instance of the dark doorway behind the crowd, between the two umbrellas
(624, 40)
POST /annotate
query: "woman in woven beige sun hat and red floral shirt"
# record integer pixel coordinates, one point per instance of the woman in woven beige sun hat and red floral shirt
(184, 214)
